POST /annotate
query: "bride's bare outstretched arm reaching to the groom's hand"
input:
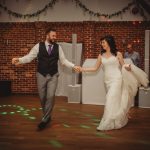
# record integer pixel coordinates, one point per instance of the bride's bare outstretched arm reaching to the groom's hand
(95, 68)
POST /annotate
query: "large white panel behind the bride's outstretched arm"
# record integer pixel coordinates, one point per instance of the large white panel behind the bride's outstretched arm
(93, 89)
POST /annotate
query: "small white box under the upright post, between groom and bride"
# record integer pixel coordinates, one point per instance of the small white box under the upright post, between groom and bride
(74, 93)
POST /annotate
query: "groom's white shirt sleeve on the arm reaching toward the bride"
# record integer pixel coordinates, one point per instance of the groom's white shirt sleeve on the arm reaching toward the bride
(63, 60)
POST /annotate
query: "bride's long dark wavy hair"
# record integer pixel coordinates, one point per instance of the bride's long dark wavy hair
(112, 44)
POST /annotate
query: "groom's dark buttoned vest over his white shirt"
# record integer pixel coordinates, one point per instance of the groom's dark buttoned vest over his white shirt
(48, 64)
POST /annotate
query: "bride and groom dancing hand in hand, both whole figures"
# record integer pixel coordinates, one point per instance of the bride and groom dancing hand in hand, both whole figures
(122, 80)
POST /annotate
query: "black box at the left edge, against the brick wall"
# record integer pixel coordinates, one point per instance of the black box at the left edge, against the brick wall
(5, 88)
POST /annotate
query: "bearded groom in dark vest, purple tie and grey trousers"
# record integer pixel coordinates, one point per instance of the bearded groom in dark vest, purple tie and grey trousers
(48, 54)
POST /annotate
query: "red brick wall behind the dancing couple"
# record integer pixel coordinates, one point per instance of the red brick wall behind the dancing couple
(16, 39)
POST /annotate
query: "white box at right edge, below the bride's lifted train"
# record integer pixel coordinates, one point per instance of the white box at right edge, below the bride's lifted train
(144, 97)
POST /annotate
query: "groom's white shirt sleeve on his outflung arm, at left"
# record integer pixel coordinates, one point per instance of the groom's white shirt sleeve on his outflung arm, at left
(30, 56)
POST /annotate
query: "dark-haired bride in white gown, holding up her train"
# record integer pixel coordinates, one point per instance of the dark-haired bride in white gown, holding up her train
(121, 80)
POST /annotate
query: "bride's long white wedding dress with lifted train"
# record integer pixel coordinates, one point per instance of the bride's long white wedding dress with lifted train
(121, 86)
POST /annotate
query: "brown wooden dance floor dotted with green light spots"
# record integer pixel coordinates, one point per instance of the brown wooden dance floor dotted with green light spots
(73, 127)
